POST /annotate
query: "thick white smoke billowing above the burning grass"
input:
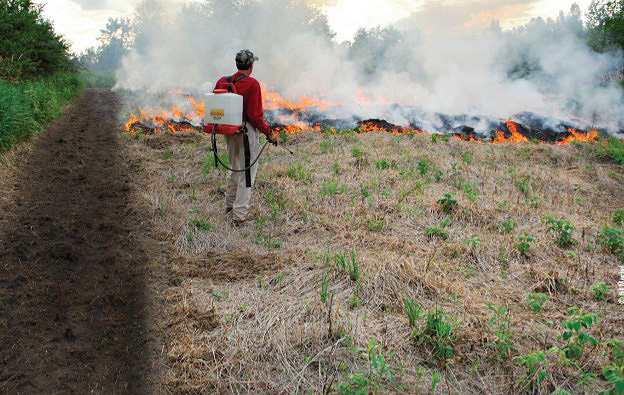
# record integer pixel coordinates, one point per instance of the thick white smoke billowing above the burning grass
(545, 68)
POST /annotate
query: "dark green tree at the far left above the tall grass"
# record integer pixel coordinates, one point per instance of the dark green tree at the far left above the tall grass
(29, 46)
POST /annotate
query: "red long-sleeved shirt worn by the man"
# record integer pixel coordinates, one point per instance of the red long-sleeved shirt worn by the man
(249, 88)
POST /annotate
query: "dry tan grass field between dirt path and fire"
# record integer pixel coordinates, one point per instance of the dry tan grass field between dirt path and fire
(245, 308)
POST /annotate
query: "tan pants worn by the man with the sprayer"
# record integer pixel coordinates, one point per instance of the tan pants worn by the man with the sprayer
(237, 195)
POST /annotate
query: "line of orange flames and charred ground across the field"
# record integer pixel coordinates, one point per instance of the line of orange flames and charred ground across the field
(311, 115)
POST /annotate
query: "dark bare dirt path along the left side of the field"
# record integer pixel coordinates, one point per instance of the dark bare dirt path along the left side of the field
(74, 305)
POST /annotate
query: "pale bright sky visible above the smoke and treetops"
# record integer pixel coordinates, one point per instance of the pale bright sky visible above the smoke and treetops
(80, 21)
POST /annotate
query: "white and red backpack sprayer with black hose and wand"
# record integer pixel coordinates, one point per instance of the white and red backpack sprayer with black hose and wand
(224, 115)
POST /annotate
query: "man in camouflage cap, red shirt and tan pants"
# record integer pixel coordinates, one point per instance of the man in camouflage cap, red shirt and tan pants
(239, 185)
